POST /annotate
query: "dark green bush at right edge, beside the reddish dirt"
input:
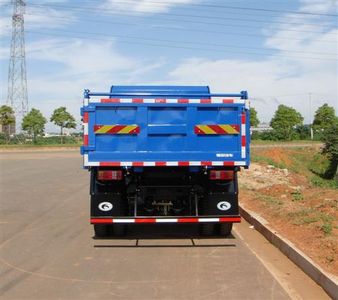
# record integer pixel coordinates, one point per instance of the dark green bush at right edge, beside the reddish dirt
(331, 149)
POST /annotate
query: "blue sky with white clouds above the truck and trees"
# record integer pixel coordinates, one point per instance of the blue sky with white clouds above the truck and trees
(280, 51)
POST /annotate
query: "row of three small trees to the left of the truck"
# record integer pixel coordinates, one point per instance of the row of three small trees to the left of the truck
(34, 122)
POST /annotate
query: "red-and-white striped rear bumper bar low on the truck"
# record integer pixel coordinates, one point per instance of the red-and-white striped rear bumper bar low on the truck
(161, 220)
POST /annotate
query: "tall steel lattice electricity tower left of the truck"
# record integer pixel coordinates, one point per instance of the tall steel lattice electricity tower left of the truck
(17, 96)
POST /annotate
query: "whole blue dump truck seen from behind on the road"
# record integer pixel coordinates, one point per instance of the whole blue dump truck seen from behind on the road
(164, 154)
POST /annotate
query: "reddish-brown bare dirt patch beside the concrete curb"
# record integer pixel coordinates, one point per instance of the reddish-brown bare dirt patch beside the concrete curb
(306, 215)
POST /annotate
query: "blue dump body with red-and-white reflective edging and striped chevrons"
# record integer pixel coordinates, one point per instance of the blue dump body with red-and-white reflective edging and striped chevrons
(165, 126)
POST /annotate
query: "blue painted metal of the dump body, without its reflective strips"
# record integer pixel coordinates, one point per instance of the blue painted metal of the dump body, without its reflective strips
(166, 130)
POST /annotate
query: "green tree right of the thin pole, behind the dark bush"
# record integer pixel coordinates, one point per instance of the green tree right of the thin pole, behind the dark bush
(323, 120)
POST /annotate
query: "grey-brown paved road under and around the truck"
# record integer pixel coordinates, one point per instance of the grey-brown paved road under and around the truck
(47, 249)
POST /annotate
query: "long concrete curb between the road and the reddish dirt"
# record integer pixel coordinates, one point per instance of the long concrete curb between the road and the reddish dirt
(327, 281)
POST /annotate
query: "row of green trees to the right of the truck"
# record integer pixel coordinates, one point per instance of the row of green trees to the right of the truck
(287, 122)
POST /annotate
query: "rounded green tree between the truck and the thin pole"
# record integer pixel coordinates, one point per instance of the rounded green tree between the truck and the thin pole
(284, 121)
